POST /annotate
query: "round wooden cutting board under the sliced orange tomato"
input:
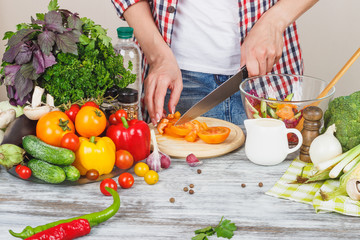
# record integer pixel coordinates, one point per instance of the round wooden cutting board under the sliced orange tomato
(180, 148)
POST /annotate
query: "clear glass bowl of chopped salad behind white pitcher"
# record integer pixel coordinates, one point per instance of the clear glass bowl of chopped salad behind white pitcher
(283, 97)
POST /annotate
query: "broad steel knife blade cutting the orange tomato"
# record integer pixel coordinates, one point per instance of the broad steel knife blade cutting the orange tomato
(222, 92)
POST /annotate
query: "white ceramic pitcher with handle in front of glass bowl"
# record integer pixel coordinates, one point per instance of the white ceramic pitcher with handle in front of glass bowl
(266, 141)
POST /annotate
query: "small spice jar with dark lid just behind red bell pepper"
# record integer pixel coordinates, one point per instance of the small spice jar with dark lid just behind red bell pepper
(128, 100)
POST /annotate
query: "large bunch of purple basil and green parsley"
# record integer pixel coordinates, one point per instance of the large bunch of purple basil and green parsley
(71, 58)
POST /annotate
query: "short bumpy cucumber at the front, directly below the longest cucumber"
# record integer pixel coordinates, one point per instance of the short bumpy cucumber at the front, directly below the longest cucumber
(46, 171)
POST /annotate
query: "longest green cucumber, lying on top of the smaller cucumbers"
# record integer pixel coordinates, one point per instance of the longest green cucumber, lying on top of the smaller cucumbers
(46, 152)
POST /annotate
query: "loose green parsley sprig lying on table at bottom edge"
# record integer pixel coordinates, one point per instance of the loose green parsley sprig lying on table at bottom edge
(224, 229)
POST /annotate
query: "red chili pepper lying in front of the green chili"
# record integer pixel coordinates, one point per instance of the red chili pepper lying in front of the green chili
(64, 231)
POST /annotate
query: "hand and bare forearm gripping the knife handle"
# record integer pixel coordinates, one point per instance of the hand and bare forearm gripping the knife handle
(263, 45)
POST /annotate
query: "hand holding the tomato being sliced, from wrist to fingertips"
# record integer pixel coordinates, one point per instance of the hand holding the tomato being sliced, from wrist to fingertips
(164, 73)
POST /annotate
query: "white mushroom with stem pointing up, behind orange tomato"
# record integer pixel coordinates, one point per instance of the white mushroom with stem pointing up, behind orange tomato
(35, 111)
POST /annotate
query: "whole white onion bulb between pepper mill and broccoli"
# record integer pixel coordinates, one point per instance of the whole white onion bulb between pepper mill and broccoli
(325, 146)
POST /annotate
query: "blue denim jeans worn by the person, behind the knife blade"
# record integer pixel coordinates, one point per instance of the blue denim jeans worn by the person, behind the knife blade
(197, 85)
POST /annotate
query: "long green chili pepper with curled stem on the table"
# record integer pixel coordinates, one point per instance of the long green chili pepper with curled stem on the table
(93, 218)
